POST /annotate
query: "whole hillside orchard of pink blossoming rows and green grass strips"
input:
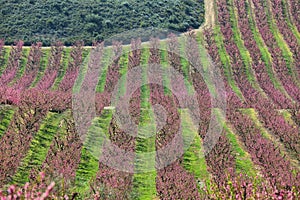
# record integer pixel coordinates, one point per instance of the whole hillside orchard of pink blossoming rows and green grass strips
(254, 44)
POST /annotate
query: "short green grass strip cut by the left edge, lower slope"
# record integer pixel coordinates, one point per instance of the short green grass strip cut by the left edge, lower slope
(6, 114)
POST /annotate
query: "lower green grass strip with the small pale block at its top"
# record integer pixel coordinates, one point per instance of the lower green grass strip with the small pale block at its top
(91, 151)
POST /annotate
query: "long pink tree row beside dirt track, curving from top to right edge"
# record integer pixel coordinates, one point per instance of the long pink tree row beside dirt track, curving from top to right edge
(271, 119)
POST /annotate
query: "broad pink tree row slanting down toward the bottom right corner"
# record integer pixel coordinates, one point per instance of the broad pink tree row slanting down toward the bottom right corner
(265, 154)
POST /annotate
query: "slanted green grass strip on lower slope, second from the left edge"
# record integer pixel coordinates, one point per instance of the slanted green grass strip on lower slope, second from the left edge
(39, 147)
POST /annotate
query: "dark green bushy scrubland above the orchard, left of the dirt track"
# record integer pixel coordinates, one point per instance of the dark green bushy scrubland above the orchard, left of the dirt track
(88, 20)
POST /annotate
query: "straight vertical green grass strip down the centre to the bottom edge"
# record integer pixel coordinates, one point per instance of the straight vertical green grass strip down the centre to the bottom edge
(144, 182)
